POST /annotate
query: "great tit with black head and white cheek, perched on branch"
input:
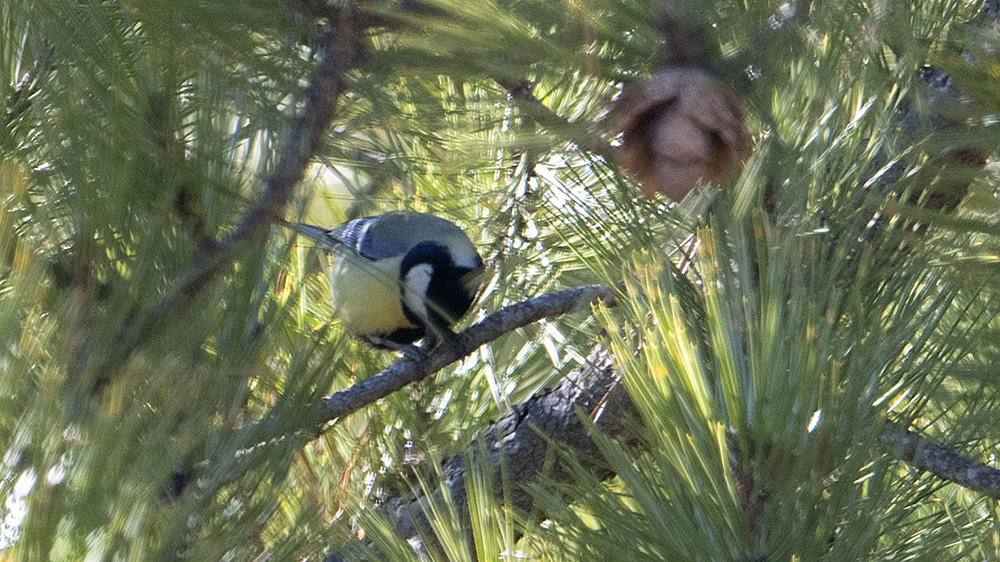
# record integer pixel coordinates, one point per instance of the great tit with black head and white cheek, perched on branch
(400, 277)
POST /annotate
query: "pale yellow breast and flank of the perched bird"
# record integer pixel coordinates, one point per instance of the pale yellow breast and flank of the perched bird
(366, 294)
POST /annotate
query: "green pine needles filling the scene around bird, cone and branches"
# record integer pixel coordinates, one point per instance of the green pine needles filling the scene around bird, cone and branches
(764, 349)
